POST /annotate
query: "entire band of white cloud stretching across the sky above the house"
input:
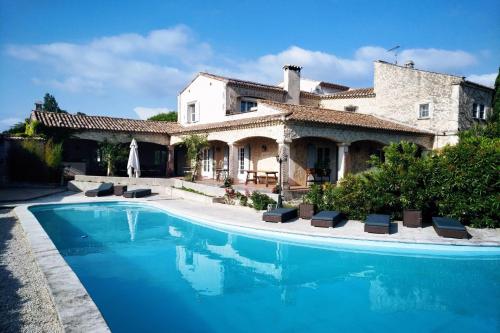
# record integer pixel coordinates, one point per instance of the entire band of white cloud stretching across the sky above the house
(162, 62)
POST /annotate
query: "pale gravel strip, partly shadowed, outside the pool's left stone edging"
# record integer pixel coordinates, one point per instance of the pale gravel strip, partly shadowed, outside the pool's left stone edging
(25, 303)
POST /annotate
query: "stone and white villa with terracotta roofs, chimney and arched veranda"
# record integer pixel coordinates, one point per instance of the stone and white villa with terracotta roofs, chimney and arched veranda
(320, 130)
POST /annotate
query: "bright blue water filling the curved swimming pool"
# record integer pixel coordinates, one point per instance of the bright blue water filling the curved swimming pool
(149, 271)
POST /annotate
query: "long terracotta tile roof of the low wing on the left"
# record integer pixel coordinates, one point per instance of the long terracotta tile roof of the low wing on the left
(66, 120)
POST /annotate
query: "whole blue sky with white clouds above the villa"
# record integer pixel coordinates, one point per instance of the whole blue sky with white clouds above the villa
(130, 58)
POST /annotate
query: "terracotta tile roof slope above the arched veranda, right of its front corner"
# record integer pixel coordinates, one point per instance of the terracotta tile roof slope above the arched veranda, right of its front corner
(312, 114)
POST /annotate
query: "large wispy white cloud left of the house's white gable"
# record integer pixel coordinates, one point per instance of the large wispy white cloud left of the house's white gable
(157, 64)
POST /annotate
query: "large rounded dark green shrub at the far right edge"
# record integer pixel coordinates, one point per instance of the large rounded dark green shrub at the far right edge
(466, 181)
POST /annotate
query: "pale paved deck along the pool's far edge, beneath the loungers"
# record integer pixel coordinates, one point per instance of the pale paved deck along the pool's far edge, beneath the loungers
(249, 218)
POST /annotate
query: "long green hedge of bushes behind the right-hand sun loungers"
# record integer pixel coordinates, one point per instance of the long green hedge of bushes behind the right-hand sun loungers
(460, 181)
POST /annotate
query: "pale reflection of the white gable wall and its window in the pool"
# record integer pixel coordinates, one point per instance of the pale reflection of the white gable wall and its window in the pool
(206, 275)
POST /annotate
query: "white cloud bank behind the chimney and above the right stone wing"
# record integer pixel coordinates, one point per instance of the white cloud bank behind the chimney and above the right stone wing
(352, 70)
